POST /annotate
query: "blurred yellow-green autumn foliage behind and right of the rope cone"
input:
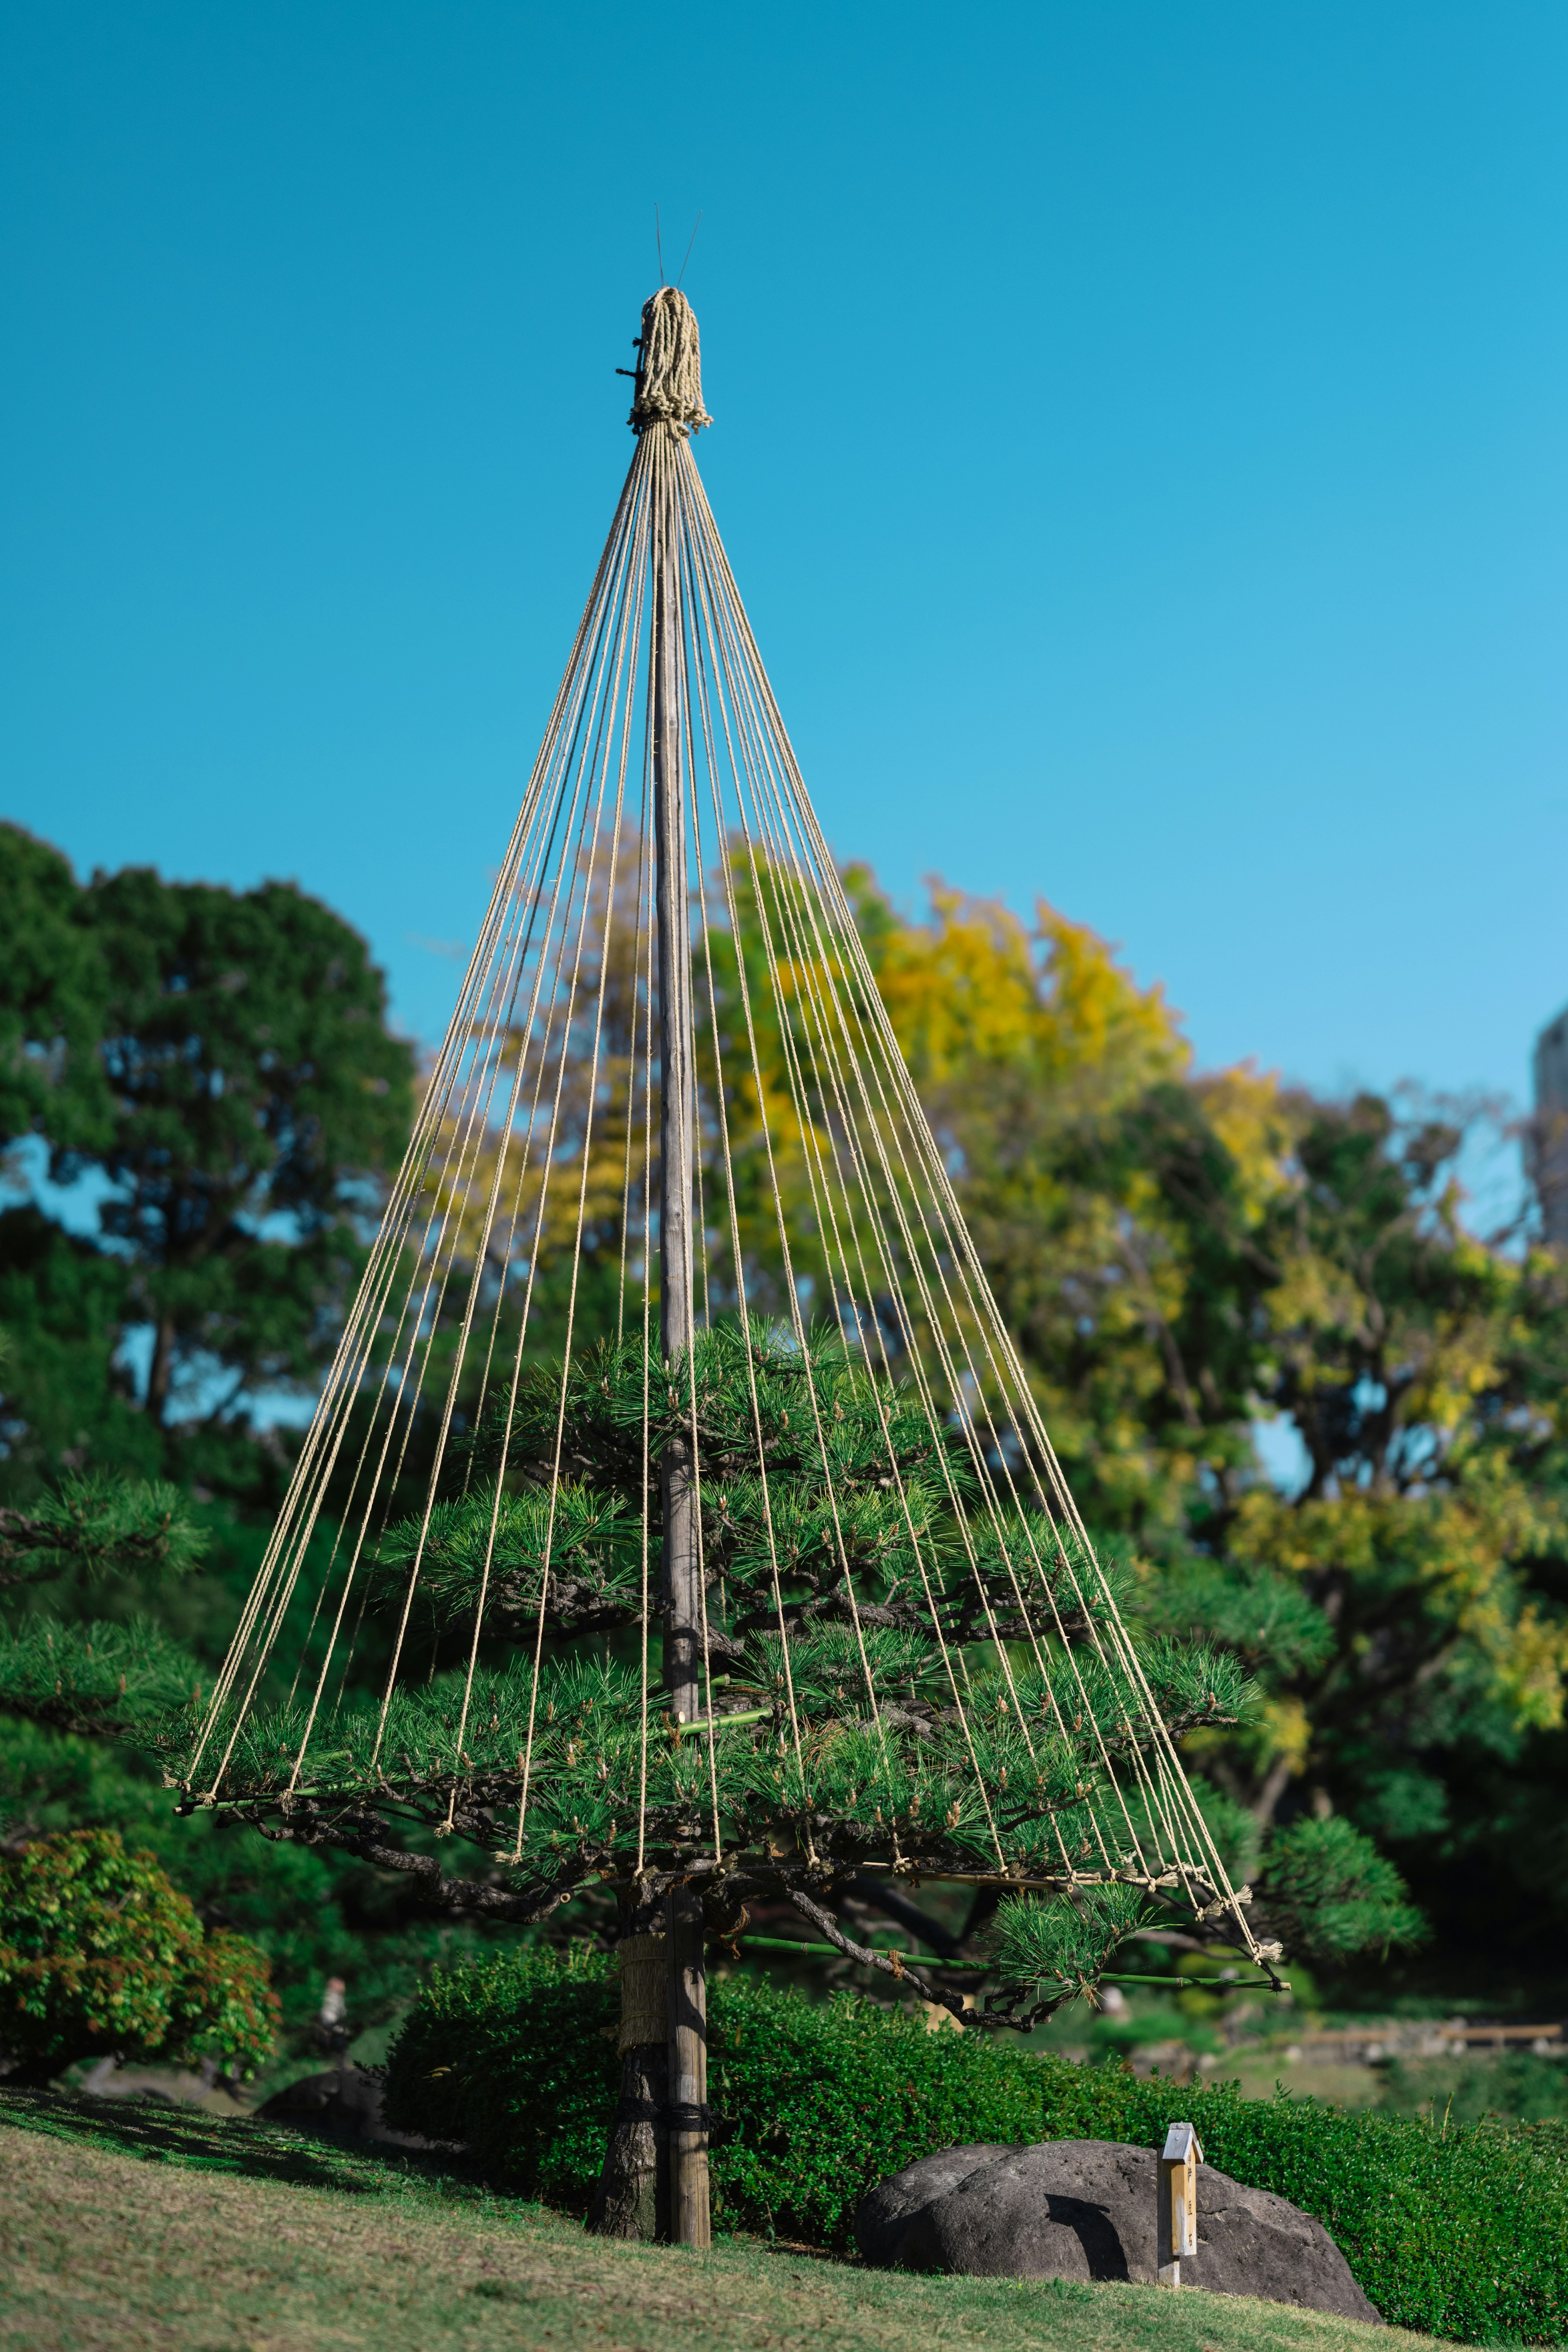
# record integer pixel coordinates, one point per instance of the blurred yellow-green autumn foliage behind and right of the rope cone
(1179, 1255)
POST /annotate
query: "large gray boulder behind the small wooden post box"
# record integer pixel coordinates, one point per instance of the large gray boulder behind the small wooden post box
(1085, 2210)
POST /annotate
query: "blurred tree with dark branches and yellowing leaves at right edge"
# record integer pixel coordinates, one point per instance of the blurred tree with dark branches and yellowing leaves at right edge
(1426, 1372)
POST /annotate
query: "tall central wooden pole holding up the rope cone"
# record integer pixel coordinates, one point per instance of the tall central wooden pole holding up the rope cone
(676, 1321)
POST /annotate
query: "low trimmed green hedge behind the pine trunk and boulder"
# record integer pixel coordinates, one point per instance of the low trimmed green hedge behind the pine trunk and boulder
(1461, 2233)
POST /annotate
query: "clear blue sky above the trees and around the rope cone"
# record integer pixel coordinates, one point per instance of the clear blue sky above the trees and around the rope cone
(1141, 439)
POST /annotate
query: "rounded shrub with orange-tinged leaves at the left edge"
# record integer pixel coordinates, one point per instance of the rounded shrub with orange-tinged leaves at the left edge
(100, 1956)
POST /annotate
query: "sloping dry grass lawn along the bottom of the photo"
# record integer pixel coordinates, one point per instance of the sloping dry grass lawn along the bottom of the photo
(138, 2229)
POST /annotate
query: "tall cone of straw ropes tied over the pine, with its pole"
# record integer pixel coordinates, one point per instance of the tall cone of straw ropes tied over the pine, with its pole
(676, 1474)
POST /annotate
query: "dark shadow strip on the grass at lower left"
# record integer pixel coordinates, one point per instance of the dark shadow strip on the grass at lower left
(239, 2146)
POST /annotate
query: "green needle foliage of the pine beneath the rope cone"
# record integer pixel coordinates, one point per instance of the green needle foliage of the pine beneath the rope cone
(897, 1681)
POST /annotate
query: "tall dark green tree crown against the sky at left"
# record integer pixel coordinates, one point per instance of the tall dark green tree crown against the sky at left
(213, 1074)
